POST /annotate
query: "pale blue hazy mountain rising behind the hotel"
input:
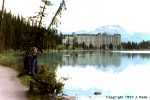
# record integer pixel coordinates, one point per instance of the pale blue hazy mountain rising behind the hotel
(116, 29)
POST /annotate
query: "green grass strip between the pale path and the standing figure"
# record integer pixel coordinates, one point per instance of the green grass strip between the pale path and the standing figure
(12, 60)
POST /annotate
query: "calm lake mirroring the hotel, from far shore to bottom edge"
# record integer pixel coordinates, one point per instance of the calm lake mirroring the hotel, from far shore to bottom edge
(124, 74)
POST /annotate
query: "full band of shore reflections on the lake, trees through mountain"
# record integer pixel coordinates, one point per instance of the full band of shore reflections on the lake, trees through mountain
(93, 58)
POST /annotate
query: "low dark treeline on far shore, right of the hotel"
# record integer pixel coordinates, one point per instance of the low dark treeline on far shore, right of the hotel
(134, 45)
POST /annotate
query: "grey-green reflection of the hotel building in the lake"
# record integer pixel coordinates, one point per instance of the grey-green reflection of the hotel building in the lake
(95, 58)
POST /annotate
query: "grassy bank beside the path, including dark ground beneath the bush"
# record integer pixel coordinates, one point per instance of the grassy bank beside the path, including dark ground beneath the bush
(14, 60)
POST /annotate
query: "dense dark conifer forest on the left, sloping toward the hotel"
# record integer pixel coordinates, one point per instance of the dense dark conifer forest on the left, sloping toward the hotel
(17, 33)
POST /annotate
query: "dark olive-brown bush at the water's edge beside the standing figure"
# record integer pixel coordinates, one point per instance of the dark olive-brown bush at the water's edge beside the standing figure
(44, 82)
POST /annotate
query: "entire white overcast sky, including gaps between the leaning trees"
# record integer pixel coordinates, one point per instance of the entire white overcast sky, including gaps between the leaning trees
(132, 15)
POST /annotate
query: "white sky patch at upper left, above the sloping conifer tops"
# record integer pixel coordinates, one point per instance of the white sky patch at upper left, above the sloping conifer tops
(22, 7)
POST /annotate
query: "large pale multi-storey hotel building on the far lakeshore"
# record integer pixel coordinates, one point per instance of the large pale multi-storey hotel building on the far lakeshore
(96, 40)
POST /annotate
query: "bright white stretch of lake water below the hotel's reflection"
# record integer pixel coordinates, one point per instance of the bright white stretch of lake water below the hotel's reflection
(133, 81)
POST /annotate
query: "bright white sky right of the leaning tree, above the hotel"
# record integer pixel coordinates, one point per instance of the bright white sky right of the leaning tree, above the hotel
(88, 14)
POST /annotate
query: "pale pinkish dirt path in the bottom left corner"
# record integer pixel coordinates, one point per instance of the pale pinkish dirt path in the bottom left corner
(10, 86)
